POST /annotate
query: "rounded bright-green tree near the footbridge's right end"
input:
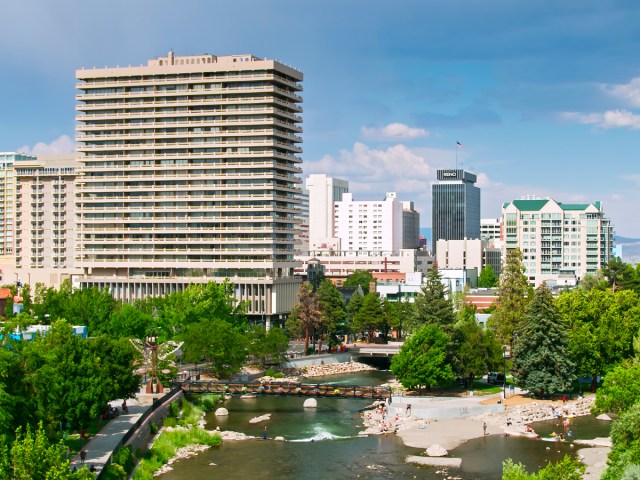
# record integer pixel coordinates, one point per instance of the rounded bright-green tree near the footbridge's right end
(422, 360)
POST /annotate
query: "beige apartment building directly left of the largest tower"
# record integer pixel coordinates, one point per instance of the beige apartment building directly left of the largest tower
(45, 218)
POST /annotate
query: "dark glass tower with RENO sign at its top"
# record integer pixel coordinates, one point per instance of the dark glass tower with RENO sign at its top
(455, 206)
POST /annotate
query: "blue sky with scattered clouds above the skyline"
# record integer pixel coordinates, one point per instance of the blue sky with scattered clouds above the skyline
(544, 96)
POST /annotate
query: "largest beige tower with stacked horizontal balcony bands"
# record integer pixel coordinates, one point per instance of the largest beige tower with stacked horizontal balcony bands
(189, 172)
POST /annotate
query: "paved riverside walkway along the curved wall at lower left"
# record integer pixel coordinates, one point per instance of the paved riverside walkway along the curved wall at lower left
(105, 442)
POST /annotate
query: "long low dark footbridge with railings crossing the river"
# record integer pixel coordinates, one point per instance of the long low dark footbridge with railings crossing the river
(191, 385)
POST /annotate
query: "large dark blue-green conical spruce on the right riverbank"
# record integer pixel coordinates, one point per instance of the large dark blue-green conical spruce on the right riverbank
(541, 359)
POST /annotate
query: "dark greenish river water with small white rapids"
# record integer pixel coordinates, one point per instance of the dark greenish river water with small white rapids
(323, 443)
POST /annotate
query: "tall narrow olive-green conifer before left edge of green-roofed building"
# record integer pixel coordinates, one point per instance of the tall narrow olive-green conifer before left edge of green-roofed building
(513, 291)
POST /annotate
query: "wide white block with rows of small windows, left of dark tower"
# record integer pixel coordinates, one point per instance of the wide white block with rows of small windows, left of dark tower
(369, 225)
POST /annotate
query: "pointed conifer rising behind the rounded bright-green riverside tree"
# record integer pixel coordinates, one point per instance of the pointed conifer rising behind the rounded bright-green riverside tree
(433, 307)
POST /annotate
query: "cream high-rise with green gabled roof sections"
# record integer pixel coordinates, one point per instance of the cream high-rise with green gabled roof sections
(556, 238)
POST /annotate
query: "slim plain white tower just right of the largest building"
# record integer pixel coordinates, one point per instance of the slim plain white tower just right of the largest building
(324, 191)
